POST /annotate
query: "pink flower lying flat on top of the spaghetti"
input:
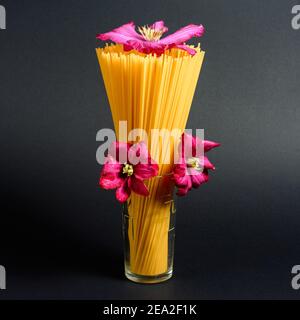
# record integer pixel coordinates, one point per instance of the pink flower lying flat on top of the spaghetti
(148, 39)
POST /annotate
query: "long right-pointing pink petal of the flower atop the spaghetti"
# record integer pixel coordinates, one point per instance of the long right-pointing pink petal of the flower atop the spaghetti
(184, 34)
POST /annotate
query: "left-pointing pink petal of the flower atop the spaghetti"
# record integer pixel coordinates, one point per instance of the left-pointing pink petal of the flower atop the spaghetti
(121, 34)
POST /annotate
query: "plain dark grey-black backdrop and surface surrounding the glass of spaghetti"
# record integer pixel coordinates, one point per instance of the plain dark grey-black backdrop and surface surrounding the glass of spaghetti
(60, 235)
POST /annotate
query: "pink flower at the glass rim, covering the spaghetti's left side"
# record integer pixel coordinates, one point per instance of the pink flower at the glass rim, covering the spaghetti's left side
(126, 168)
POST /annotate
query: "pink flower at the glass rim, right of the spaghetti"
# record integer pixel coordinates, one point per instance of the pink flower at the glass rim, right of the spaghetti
(192, 171)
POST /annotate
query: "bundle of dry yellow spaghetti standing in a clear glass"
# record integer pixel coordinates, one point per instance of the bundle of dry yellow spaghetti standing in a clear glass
(151, 92)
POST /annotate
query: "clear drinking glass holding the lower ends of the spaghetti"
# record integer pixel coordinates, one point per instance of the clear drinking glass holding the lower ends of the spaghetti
(149, 233)
